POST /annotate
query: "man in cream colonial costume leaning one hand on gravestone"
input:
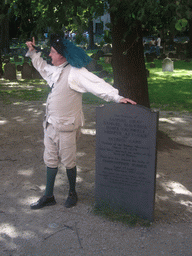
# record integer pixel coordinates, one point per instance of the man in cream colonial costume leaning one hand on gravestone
(69, 79)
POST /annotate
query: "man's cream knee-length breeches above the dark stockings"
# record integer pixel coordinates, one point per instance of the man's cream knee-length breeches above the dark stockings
(59, 146)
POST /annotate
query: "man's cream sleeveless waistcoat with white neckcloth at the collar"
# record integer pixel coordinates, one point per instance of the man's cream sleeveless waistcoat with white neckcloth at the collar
(64, 105)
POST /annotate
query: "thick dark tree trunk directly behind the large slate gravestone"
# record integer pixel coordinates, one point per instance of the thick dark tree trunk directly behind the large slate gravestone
(128, 62)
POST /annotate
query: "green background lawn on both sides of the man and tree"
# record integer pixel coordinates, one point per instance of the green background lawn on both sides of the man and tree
(170, 91)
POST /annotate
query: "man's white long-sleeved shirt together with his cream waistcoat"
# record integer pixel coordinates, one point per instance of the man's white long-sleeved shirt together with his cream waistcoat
(64, 103)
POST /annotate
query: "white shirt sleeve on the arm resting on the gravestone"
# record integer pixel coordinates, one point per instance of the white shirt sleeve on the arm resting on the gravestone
(82, 80)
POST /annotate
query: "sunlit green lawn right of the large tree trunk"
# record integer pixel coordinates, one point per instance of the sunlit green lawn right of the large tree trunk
(171, 90)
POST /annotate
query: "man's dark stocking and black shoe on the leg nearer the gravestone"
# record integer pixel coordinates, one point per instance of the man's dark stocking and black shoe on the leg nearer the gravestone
(72, 197)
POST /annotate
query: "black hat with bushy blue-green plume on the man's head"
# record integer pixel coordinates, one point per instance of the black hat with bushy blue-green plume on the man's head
(76, 56)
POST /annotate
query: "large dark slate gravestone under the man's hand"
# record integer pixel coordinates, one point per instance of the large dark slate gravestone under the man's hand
(126, 158)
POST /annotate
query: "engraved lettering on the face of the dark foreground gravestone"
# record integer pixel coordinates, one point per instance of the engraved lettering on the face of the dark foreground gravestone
(123, 153)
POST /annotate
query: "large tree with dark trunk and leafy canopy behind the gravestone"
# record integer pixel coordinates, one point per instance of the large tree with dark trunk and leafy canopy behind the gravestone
(127, 19)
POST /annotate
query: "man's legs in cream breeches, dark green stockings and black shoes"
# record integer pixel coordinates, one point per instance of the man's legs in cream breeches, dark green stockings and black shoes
(63, 145)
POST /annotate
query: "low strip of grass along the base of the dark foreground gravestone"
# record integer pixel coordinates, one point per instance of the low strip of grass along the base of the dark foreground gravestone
(119, 215)
